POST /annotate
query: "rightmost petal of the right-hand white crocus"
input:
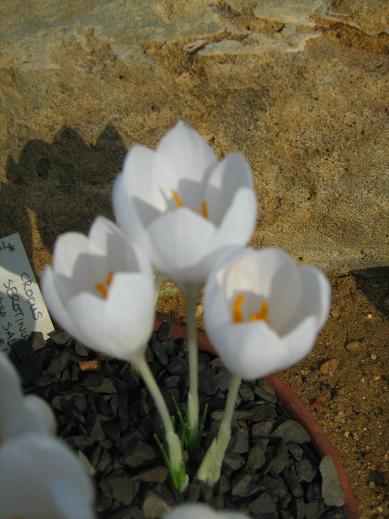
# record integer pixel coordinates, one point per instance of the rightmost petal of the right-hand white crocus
(314, 299)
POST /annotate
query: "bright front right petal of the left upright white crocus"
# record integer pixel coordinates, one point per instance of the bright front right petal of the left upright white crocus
(129, 314)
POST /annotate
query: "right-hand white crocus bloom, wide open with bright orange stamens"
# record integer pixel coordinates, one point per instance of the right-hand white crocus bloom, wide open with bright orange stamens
(263, 312)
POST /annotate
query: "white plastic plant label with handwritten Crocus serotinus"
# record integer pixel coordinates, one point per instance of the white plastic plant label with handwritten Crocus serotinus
(22, 308)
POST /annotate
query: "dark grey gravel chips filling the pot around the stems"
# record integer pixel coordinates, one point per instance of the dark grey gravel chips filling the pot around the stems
(271, 469)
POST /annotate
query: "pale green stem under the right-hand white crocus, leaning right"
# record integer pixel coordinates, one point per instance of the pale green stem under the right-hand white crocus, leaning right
(210, 468)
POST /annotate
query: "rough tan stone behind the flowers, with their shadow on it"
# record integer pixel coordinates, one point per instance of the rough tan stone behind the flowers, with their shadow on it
(297, 86)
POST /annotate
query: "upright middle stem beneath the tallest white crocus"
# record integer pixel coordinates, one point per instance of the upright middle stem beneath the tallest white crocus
(193, 397)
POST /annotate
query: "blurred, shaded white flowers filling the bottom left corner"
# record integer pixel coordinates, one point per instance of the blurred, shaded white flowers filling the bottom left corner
(40, 478)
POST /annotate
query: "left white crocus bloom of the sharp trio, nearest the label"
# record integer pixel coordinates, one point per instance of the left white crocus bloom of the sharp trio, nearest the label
(101, 290)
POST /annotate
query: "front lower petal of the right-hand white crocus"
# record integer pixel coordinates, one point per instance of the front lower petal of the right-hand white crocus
(249, 350)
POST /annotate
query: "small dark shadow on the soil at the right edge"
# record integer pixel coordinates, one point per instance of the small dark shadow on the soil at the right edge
(374, 282)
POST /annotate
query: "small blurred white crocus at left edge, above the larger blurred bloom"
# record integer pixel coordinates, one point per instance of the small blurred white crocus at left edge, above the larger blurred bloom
(20, 414)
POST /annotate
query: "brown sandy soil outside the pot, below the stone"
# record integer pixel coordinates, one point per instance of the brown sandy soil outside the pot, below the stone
(345, 380)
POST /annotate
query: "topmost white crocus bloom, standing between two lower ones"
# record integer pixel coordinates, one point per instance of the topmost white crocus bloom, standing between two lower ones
(185, 209)
